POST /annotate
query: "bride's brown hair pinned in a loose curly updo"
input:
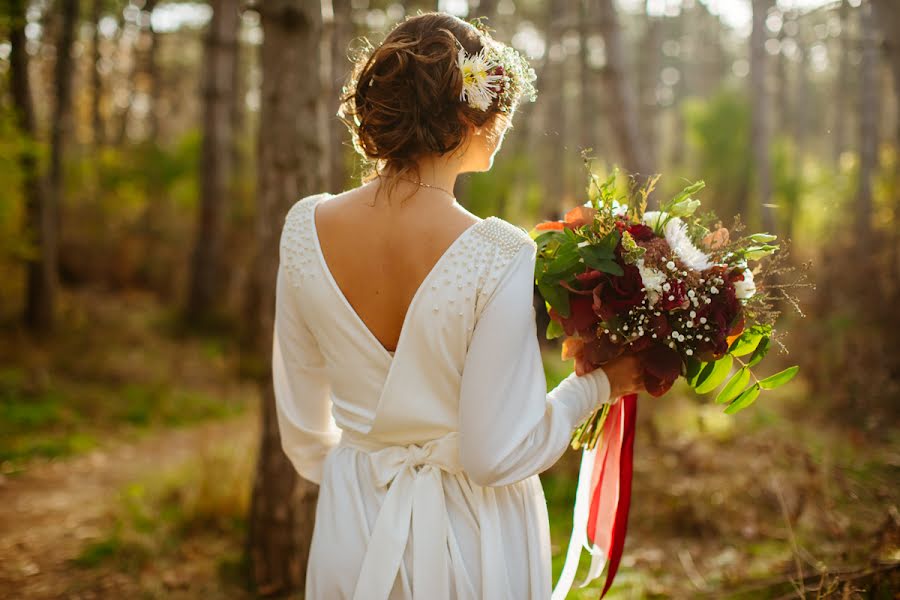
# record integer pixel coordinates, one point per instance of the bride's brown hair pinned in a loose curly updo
(402, 100)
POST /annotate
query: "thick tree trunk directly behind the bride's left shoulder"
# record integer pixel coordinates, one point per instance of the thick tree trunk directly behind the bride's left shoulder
(283, 505)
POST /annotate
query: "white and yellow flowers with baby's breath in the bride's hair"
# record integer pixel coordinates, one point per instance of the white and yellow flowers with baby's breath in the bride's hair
(495, 71)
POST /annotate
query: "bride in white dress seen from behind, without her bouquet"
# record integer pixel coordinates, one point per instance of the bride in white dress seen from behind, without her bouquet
(407, 371)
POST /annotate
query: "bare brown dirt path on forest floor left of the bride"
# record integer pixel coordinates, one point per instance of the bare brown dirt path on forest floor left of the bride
(52, 510)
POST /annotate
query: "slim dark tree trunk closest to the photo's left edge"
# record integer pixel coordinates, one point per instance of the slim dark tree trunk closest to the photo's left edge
(40, 288)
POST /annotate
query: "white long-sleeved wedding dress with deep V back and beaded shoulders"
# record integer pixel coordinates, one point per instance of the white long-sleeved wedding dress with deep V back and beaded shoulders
(427, 458)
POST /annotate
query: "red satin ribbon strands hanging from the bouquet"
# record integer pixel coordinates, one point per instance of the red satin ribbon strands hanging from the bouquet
(611, 484)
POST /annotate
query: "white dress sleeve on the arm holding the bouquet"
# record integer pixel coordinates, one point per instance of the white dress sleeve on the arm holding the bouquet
(510, 427)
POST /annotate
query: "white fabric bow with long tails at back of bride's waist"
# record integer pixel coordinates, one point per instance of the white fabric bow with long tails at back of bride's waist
(412, 474)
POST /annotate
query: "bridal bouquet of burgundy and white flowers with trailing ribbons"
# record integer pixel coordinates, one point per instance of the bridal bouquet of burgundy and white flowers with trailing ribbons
(672, 287)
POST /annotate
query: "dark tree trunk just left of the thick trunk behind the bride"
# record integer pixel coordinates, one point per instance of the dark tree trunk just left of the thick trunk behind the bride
(217, 170)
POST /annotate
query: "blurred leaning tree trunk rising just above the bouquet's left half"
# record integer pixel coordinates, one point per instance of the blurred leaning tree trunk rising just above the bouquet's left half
(622, 96)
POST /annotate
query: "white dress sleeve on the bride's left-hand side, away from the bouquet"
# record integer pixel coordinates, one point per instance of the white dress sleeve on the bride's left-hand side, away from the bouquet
(302, 388)
